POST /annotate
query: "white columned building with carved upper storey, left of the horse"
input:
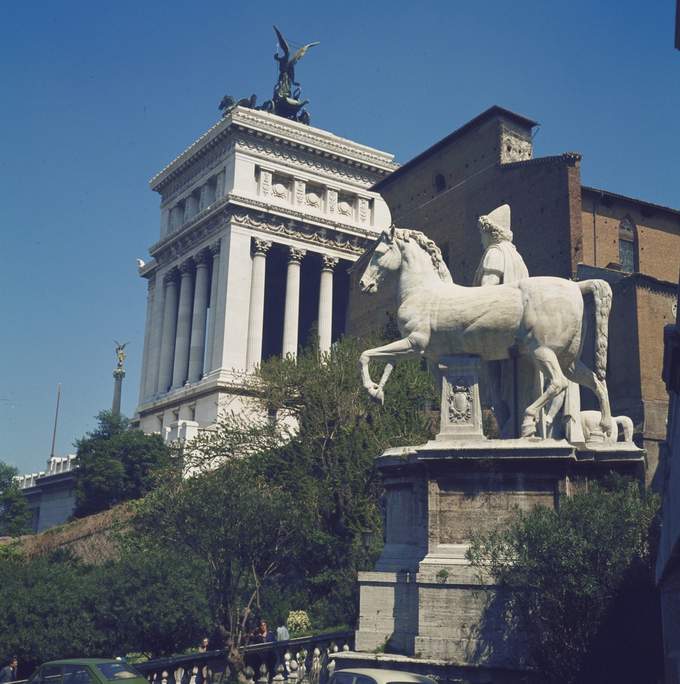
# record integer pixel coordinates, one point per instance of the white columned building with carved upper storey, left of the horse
(260, 219)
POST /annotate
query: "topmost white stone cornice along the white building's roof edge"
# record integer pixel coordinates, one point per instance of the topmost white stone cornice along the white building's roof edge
(271, 126)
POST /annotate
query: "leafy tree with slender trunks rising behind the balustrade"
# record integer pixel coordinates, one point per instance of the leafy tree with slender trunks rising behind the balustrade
(239, 526)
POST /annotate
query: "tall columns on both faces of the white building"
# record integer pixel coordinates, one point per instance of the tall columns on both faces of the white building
(184, 352)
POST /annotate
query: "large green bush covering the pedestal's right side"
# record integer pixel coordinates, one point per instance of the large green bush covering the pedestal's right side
(577, 583)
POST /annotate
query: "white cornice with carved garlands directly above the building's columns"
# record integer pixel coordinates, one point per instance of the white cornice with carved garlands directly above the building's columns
(275, 221)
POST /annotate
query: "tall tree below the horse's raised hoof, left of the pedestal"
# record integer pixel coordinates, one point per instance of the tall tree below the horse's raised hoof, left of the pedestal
(321, 452)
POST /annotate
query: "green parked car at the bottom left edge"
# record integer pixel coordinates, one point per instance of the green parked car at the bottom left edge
(86, 671)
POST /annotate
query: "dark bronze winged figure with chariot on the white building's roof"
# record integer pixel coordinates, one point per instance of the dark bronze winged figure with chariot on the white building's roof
(286, 101)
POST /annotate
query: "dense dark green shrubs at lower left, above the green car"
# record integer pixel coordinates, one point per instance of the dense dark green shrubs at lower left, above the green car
(57, 607)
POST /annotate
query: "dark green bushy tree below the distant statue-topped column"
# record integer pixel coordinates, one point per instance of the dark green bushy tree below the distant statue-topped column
(115, 464)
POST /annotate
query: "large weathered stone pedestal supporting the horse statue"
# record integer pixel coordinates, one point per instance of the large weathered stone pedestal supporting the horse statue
(423, 600)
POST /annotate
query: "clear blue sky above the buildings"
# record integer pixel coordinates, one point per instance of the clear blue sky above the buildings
(97, 97)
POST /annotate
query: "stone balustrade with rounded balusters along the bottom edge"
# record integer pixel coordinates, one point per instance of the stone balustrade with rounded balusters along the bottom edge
(307, 660)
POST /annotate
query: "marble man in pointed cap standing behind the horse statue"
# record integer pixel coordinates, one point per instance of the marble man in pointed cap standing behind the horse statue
(513, 383)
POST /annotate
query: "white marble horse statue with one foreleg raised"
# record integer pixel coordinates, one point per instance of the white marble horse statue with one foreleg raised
(539, 317)
